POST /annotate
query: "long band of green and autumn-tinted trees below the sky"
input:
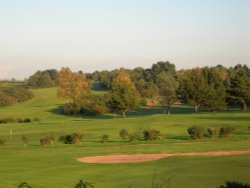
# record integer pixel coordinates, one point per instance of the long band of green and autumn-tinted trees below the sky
(211, 88)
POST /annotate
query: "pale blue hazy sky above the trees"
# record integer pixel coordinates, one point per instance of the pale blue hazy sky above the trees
(91, 35)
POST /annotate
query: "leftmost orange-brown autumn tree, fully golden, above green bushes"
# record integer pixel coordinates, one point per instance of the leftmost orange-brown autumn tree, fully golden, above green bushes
(72, 85)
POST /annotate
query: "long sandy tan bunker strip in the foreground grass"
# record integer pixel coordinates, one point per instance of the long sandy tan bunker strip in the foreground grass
(135, 158)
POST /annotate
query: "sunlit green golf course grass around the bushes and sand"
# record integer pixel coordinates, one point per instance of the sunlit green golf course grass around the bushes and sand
(56, 166)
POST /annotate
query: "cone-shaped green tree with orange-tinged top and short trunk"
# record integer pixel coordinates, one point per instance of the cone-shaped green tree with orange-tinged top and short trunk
(123, 94)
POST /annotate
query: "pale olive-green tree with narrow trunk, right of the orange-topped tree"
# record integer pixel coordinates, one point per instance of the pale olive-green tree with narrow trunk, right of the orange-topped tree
(167, 90)
